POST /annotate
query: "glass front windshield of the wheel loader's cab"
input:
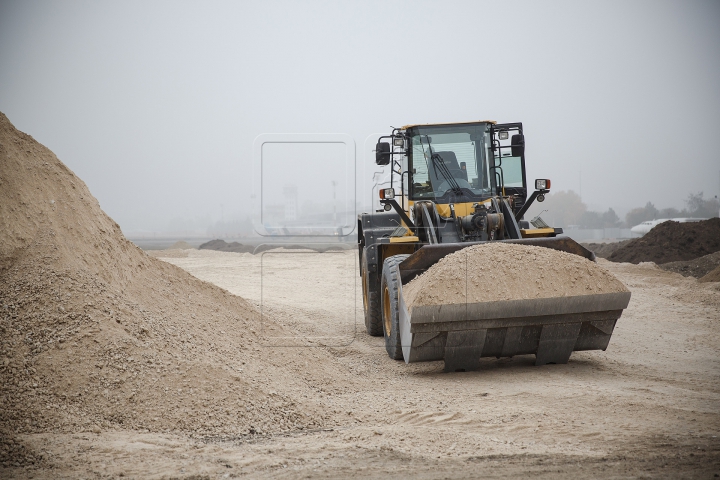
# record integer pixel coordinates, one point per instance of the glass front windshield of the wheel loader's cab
(449, 159)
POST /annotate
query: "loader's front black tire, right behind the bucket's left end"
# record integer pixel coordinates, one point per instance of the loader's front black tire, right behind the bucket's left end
(389, 305)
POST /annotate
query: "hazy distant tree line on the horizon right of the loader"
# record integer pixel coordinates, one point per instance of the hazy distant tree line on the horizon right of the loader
(565, 208)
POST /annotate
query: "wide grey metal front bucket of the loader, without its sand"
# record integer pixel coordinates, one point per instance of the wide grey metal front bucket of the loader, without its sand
(461, 334)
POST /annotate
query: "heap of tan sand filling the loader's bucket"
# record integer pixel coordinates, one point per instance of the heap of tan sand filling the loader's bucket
(473, 275)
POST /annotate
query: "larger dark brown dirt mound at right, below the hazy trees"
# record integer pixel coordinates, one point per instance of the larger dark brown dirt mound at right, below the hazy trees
(672, 242)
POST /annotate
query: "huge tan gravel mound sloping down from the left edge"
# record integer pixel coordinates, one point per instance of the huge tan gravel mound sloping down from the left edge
(95, 334)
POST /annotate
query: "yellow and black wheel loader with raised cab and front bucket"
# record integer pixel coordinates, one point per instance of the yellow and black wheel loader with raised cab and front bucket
(452, 186)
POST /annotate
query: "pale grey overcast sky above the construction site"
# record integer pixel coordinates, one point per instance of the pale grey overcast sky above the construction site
(155, 105)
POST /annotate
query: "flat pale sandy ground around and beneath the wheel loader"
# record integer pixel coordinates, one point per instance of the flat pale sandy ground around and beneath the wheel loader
(647, 407)
